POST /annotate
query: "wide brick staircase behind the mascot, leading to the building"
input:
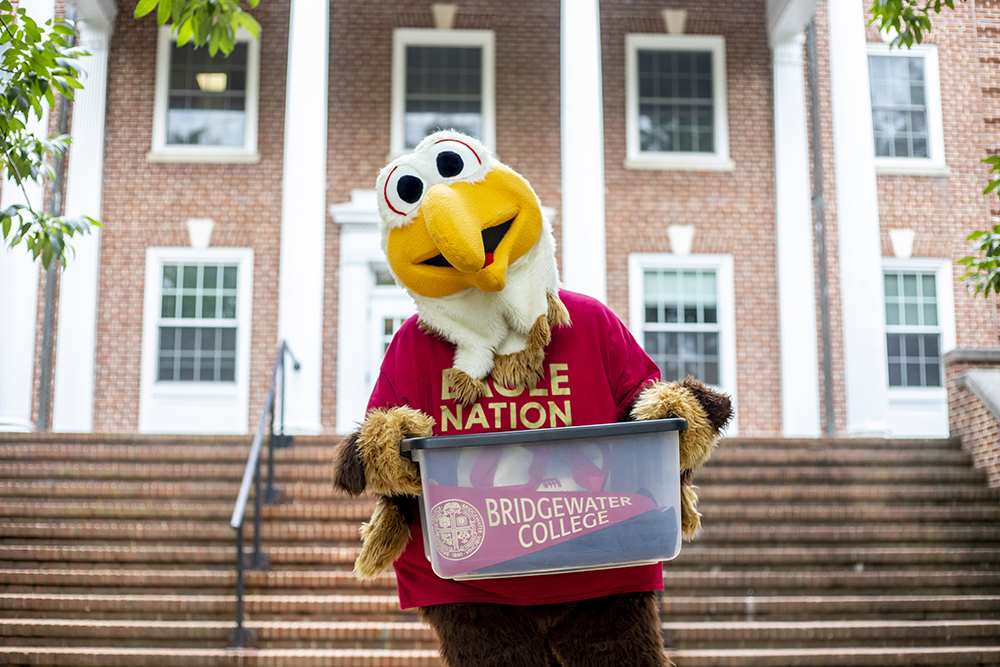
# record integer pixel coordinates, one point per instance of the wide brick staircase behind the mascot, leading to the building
(117, 551)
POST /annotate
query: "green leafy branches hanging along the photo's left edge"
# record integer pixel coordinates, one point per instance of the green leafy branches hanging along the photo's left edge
(37, 62)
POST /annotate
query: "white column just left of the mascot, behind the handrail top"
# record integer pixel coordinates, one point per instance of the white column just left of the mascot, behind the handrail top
(303, 214)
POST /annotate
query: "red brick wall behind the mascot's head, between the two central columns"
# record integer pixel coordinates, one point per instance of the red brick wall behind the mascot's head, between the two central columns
(527, 110)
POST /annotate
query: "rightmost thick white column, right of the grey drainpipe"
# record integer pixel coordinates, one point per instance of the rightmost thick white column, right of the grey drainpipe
(860, 249)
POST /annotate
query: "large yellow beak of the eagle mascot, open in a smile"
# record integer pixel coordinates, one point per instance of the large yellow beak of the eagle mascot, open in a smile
(466, 235)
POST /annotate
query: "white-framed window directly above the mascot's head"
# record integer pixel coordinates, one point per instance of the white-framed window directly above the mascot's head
(442, 79)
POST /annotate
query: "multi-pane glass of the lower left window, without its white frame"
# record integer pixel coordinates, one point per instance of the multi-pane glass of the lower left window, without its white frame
(202, 295)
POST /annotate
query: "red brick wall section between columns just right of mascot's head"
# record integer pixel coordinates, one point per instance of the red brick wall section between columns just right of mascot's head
(732, 212)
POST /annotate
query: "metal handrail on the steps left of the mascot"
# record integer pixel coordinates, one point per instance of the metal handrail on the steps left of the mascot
(241, 636)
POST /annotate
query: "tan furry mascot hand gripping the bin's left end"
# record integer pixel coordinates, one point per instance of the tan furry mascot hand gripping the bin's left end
(386, 471)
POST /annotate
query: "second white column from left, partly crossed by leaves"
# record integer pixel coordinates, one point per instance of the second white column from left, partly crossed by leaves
(73, 402)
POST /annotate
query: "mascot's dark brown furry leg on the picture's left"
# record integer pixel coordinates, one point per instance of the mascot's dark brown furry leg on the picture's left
(487, 635)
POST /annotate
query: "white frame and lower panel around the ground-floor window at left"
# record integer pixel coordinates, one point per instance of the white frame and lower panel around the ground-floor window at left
(194, 406)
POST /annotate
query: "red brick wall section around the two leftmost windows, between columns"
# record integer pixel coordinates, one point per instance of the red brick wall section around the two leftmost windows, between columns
(147, 204)
